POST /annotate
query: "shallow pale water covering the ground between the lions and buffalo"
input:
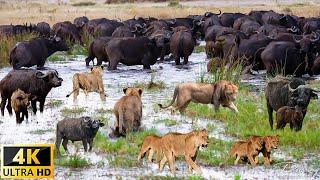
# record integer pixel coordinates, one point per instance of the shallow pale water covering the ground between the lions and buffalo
(41, 128)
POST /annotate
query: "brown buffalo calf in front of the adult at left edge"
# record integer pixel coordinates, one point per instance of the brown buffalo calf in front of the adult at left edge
(20, 102)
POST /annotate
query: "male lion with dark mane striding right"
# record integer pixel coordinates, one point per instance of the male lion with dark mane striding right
(220, 93)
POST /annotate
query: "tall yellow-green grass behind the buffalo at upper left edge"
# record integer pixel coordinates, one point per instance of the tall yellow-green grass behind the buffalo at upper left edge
(7, 43)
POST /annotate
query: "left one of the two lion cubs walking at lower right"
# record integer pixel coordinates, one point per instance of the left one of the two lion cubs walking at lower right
(247, 150)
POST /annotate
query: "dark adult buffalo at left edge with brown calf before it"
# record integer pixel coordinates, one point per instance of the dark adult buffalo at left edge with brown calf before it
(35, 82)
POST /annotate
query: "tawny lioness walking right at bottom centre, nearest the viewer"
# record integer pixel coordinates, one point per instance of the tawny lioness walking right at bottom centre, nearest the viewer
(187, 145)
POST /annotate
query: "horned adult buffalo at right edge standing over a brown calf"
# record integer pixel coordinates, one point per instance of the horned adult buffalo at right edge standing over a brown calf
(281, 92)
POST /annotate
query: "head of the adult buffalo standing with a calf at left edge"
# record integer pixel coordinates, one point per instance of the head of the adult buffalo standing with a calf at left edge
(51, 77)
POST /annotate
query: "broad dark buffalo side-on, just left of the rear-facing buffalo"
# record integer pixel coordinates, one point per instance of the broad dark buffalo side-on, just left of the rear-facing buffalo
(132, 51)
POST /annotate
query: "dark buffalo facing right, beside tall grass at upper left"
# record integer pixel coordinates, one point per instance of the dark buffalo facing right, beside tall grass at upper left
(35, 51)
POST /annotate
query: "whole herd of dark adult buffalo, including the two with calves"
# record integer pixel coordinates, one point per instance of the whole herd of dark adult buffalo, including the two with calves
(259, 40)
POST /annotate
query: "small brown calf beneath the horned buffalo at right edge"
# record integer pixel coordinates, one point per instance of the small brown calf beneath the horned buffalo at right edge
(292, 115)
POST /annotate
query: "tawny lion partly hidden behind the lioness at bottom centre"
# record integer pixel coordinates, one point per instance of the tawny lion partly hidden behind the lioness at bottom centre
(151, 143)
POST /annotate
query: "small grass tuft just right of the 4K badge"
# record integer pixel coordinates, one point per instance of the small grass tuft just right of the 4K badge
(74, 161)
